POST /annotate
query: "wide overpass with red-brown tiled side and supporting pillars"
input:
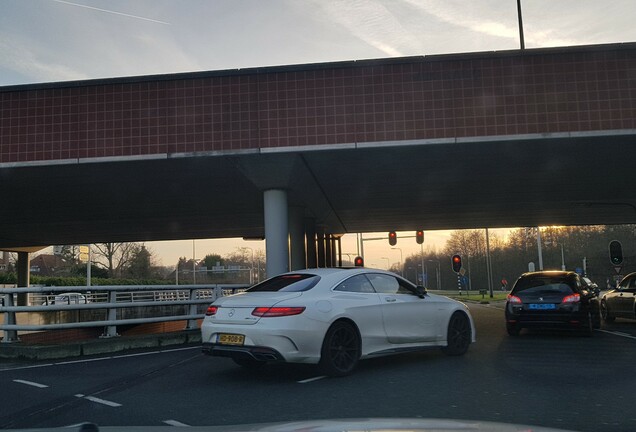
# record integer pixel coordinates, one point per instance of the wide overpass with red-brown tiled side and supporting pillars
(494, 139)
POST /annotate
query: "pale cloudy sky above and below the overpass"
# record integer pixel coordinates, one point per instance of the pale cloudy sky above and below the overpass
(59, 40)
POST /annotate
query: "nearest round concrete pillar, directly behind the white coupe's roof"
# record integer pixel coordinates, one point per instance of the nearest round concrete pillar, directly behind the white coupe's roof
(276, 231)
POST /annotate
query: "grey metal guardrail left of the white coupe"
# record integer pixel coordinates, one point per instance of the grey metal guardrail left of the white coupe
(111, 299)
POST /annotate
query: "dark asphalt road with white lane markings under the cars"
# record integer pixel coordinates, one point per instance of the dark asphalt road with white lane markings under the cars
(540, 378)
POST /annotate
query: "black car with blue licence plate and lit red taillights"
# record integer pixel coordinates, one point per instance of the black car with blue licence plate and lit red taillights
(552, 299)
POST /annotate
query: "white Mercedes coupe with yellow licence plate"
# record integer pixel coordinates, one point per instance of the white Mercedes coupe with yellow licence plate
(333, 317)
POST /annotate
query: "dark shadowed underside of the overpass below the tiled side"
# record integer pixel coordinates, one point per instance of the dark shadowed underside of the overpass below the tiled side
(555, 179)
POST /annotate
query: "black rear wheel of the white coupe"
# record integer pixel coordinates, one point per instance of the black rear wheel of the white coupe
(340, 349)
